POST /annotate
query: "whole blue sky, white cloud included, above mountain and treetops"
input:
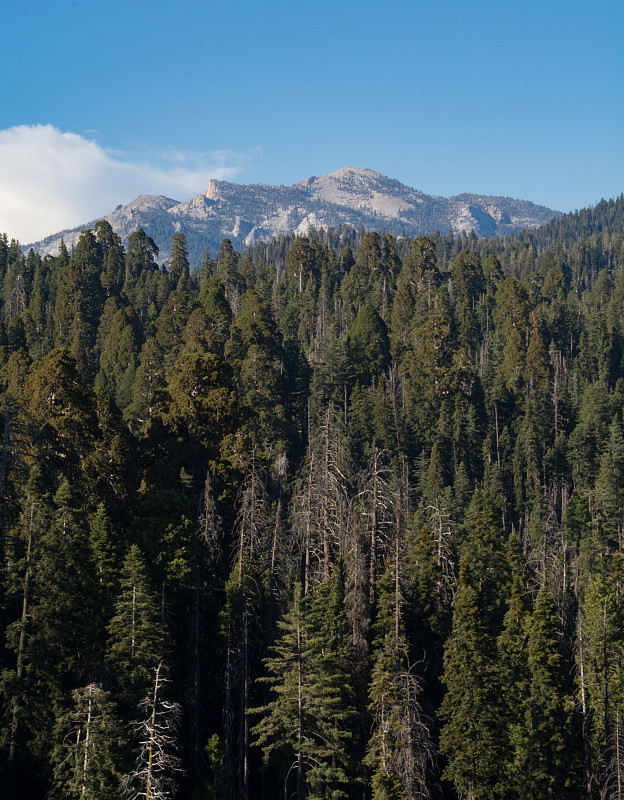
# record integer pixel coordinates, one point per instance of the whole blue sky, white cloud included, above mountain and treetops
(101, 101)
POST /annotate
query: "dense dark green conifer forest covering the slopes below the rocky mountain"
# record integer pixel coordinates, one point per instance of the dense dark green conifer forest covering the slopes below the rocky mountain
(338, 517)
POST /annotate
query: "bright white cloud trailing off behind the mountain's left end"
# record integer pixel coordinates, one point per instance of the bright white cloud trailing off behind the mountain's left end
(51, 180)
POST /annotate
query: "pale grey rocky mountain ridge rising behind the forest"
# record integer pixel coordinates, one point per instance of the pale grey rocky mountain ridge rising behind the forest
(358, 197)
